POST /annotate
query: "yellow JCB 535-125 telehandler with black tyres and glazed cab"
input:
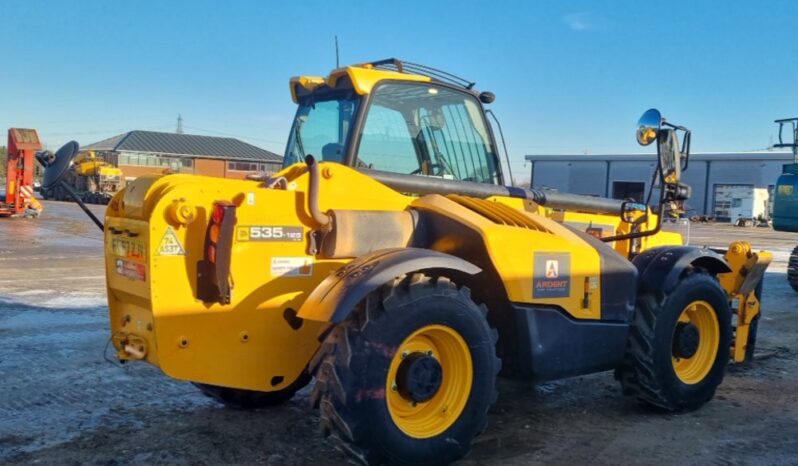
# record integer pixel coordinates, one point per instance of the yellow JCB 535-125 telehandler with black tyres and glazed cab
(389, 261)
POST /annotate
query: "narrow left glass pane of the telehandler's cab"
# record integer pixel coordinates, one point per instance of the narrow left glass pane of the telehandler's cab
(320, 129)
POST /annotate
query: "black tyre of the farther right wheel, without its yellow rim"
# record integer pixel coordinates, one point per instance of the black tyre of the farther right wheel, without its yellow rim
(647, 372)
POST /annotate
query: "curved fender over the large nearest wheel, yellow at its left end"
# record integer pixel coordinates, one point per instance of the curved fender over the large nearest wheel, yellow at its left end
(338, 294)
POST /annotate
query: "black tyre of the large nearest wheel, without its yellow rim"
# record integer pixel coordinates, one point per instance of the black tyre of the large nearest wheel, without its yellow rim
(355, 360)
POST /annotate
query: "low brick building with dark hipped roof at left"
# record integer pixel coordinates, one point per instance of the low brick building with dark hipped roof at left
(141, 152)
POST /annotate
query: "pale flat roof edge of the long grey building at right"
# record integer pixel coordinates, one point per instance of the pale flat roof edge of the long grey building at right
(759, 155)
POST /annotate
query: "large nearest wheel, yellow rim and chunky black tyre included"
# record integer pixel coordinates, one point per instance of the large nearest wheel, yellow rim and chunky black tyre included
(409, 377)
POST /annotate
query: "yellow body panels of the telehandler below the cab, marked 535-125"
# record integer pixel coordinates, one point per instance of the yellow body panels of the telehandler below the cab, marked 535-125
(154, 238)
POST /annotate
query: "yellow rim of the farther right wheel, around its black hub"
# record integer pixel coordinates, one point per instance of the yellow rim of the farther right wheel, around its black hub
(702, 315)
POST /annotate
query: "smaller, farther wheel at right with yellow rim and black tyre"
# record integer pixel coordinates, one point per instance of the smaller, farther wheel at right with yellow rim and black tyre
(678, 345)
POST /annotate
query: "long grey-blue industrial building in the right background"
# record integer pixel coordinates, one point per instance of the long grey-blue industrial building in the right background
(722, 183)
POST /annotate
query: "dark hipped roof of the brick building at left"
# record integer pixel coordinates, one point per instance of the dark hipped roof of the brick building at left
(184, 145)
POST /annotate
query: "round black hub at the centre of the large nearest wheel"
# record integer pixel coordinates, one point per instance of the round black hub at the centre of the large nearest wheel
(419, 377)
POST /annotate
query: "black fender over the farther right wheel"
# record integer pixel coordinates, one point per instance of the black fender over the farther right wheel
(661, 267)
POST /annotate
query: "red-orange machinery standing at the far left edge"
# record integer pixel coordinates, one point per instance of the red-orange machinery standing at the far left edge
(19, 200)
